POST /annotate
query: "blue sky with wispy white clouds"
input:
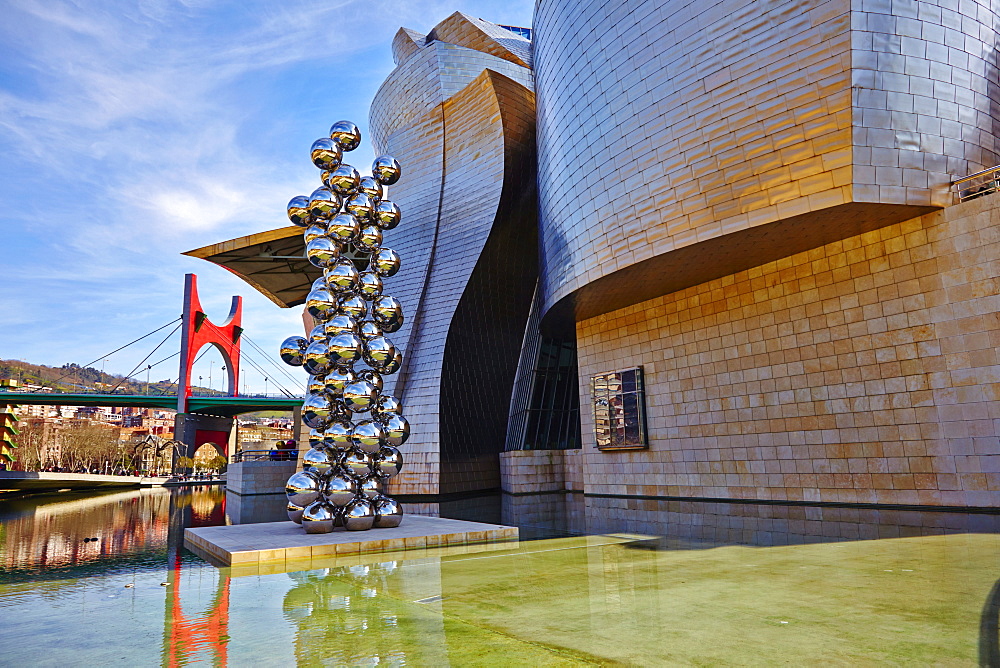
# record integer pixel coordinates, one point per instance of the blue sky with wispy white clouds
(131, 132)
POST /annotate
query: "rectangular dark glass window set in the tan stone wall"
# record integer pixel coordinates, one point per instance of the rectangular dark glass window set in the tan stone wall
(619, 409)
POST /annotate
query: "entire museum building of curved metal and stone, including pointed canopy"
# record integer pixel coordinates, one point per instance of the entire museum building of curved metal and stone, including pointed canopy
(667, 249)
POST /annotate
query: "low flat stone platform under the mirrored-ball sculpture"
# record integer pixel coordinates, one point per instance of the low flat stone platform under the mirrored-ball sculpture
(242, 544)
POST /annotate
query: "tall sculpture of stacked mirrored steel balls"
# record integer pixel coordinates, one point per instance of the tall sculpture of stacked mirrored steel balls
(356, 429)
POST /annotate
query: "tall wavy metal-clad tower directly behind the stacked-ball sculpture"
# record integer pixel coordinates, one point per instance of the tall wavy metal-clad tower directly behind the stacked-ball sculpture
(461, 122)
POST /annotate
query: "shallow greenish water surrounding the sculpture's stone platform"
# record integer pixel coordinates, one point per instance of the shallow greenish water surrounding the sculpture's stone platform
(706, 584)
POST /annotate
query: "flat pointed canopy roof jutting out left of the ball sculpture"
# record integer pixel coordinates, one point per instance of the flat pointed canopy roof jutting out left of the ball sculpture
(272, 262)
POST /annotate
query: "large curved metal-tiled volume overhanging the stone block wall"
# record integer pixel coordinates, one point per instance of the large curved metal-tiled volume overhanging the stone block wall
(680, 141)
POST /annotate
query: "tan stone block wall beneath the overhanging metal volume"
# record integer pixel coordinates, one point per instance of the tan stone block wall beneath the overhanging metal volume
(865, 370)
